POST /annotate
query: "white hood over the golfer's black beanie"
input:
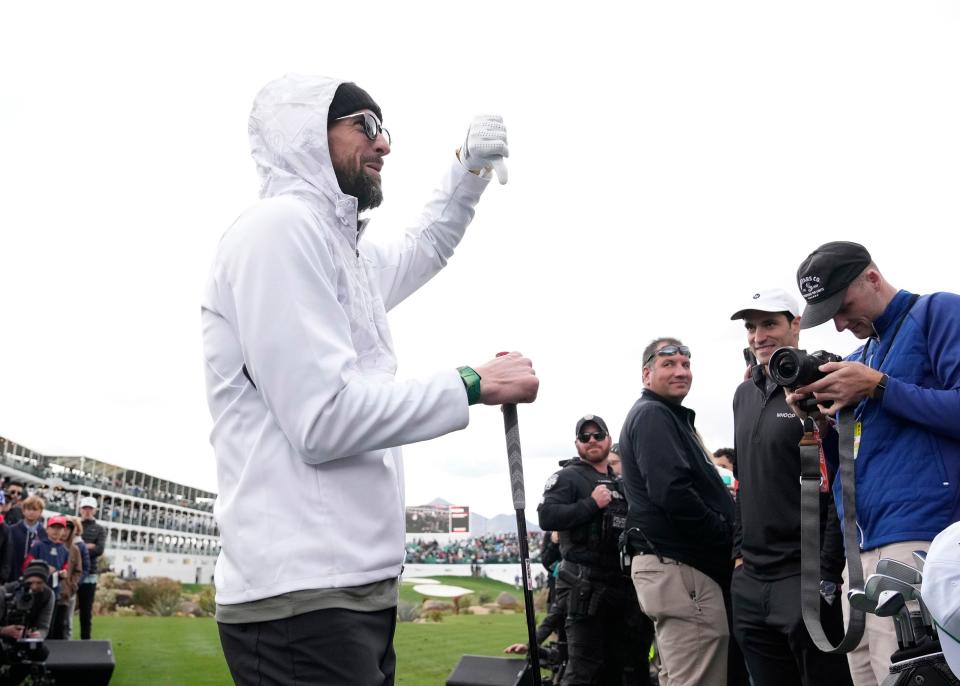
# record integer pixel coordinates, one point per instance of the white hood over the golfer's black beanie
(288, 139)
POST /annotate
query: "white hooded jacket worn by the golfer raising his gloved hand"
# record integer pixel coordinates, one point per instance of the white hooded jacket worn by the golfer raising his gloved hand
(309, 469)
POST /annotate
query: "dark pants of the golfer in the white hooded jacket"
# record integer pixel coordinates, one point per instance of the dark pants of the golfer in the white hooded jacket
(333, 647)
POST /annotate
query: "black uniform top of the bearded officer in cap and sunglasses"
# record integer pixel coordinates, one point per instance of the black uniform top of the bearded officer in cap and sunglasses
(588, 534)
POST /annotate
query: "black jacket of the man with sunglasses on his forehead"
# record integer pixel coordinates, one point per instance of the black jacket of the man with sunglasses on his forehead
(677, 500)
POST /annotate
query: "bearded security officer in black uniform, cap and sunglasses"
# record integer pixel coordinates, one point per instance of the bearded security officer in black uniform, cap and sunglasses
(584, 502)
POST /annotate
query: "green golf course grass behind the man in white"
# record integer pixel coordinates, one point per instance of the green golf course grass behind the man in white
(186, 651)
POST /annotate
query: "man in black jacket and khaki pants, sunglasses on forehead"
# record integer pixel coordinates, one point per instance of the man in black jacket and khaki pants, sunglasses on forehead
(680, 525)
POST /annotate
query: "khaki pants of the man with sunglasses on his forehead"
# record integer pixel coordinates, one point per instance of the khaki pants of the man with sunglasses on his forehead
(687, 610)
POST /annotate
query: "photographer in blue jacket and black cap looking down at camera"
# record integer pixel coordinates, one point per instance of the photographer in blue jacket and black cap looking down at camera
(902, 390)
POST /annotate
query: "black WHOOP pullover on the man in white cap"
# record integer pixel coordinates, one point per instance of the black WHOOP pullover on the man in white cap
(766, 438)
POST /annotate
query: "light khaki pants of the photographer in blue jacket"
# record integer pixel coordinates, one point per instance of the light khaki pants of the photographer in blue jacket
(870, 661)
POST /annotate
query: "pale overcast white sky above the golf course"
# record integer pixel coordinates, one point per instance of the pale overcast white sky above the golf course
(667, 161)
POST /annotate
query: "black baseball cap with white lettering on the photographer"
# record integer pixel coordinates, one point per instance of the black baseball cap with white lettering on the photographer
(824, 276)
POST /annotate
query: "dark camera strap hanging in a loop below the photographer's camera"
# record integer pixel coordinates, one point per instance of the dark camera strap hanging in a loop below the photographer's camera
(810, 480)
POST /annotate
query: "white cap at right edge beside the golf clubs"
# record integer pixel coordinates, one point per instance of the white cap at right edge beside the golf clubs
(941, 591)
